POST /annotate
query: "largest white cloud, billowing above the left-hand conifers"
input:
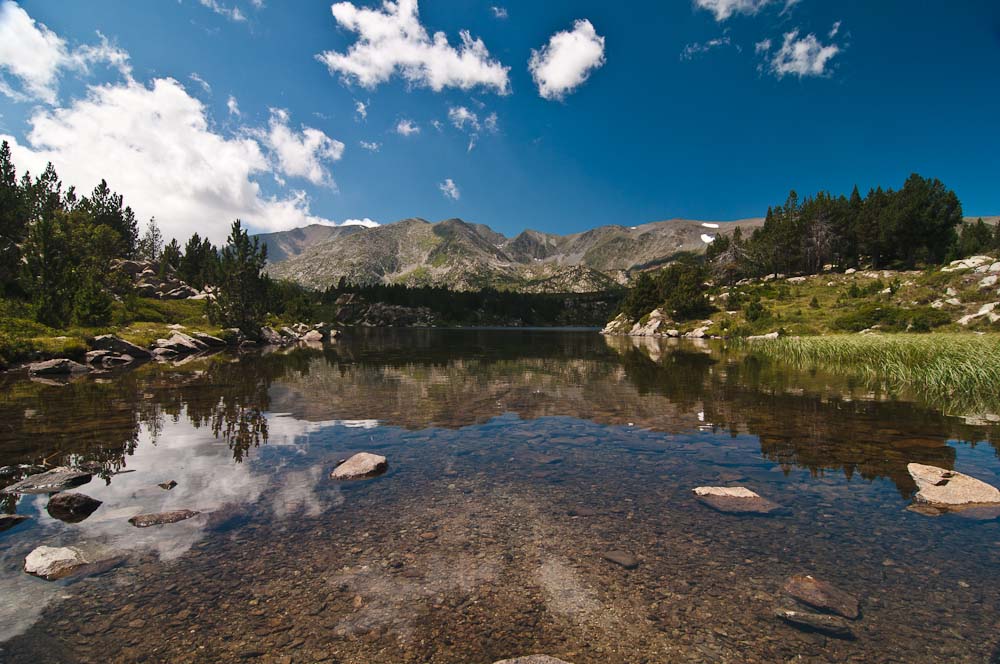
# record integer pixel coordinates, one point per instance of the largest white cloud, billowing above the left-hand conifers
(156, 146)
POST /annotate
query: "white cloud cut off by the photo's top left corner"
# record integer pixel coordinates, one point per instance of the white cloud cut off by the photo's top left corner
(35, 56)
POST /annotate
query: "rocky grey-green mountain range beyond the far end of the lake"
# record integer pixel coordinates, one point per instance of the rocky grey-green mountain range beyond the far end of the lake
(468, 256)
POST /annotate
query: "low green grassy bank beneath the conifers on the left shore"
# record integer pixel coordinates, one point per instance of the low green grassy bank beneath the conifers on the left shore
(23, 339)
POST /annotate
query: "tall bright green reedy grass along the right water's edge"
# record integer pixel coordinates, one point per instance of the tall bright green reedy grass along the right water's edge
(959, 373)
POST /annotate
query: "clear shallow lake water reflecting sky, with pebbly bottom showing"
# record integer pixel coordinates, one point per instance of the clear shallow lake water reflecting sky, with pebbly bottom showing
(516, 459)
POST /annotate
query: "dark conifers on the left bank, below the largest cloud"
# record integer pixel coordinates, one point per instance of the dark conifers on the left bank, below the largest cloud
(58, 250)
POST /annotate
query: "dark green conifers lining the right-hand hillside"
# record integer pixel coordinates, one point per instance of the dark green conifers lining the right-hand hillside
(916, 226)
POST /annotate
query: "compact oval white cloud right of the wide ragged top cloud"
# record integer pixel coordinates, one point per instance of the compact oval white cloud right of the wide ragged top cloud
(567, 60)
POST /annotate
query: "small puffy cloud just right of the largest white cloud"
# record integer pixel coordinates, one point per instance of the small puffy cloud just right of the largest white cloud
(300, 154)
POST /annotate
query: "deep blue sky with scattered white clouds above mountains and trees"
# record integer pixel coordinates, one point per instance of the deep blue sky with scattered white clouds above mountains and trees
(634, 112)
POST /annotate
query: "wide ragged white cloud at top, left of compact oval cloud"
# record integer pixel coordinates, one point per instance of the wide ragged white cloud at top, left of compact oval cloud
(391, 41)
